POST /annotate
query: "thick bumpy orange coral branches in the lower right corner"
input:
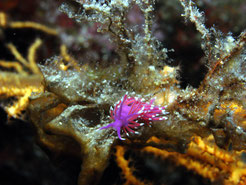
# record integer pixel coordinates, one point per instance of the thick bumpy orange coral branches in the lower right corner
(208, 160)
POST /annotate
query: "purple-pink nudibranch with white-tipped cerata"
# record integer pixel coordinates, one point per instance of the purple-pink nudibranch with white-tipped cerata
(129, 111)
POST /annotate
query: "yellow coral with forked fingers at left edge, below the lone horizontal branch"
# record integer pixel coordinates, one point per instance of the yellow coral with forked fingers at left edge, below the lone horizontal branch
(20, 84)
